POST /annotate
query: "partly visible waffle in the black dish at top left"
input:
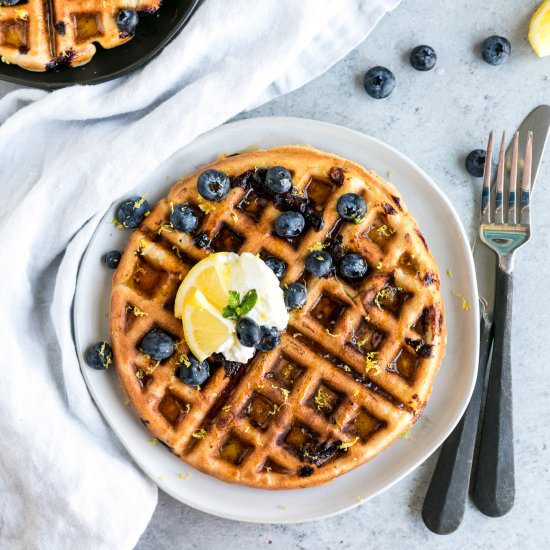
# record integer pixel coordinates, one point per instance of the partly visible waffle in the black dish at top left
(42, 34)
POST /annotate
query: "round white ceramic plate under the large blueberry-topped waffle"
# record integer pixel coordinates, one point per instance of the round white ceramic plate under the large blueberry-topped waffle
(453, 386)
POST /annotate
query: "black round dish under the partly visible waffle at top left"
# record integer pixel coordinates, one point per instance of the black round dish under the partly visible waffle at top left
(153, 33)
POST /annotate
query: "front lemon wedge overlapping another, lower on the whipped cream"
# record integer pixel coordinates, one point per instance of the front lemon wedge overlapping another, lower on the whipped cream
(204, 328)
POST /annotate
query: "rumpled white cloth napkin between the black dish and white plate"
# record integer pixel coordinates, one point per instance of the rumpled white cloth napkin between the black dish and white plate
(65, 480)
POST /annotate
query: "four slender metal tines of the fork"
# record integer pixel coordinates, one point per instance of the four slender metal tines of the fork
(498, 214)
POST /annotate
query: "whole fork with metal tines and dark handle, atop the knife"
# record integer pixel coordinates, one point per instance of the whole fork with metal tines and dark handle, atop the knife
(504, 228)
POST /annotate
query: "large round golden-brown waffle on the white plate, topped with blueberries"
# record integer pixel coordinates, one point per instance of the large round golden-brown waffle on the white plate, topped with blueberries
(355, 366)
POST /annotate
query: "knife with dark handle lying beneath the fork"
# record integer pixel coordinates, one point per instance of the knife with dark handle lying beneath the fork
(445, 500)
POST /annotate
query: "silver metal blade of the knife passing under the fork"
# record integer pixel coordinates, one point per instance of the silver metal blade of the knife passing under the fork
(538, 121)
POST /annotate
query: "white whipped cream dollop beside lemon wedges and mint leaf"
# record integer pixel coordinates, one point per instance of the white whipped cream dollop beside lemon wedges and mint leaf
(244, 272)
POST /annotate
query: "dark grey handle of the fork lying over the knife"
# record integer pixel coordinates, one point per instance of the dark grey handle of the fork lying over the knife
(494, 487)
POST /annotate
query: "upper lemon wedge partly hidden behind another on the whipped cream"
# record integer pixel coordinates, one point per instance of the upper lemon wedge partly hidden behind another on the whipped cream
(210, 277)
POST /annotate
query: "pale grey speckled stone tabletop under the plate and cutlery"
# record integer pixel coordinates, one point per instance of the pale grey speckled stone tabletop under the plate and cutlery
(435, 118)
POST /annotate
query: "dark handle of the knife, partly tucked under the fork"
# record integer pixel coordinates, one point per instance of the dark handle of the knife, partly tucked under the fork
(445, 500)
